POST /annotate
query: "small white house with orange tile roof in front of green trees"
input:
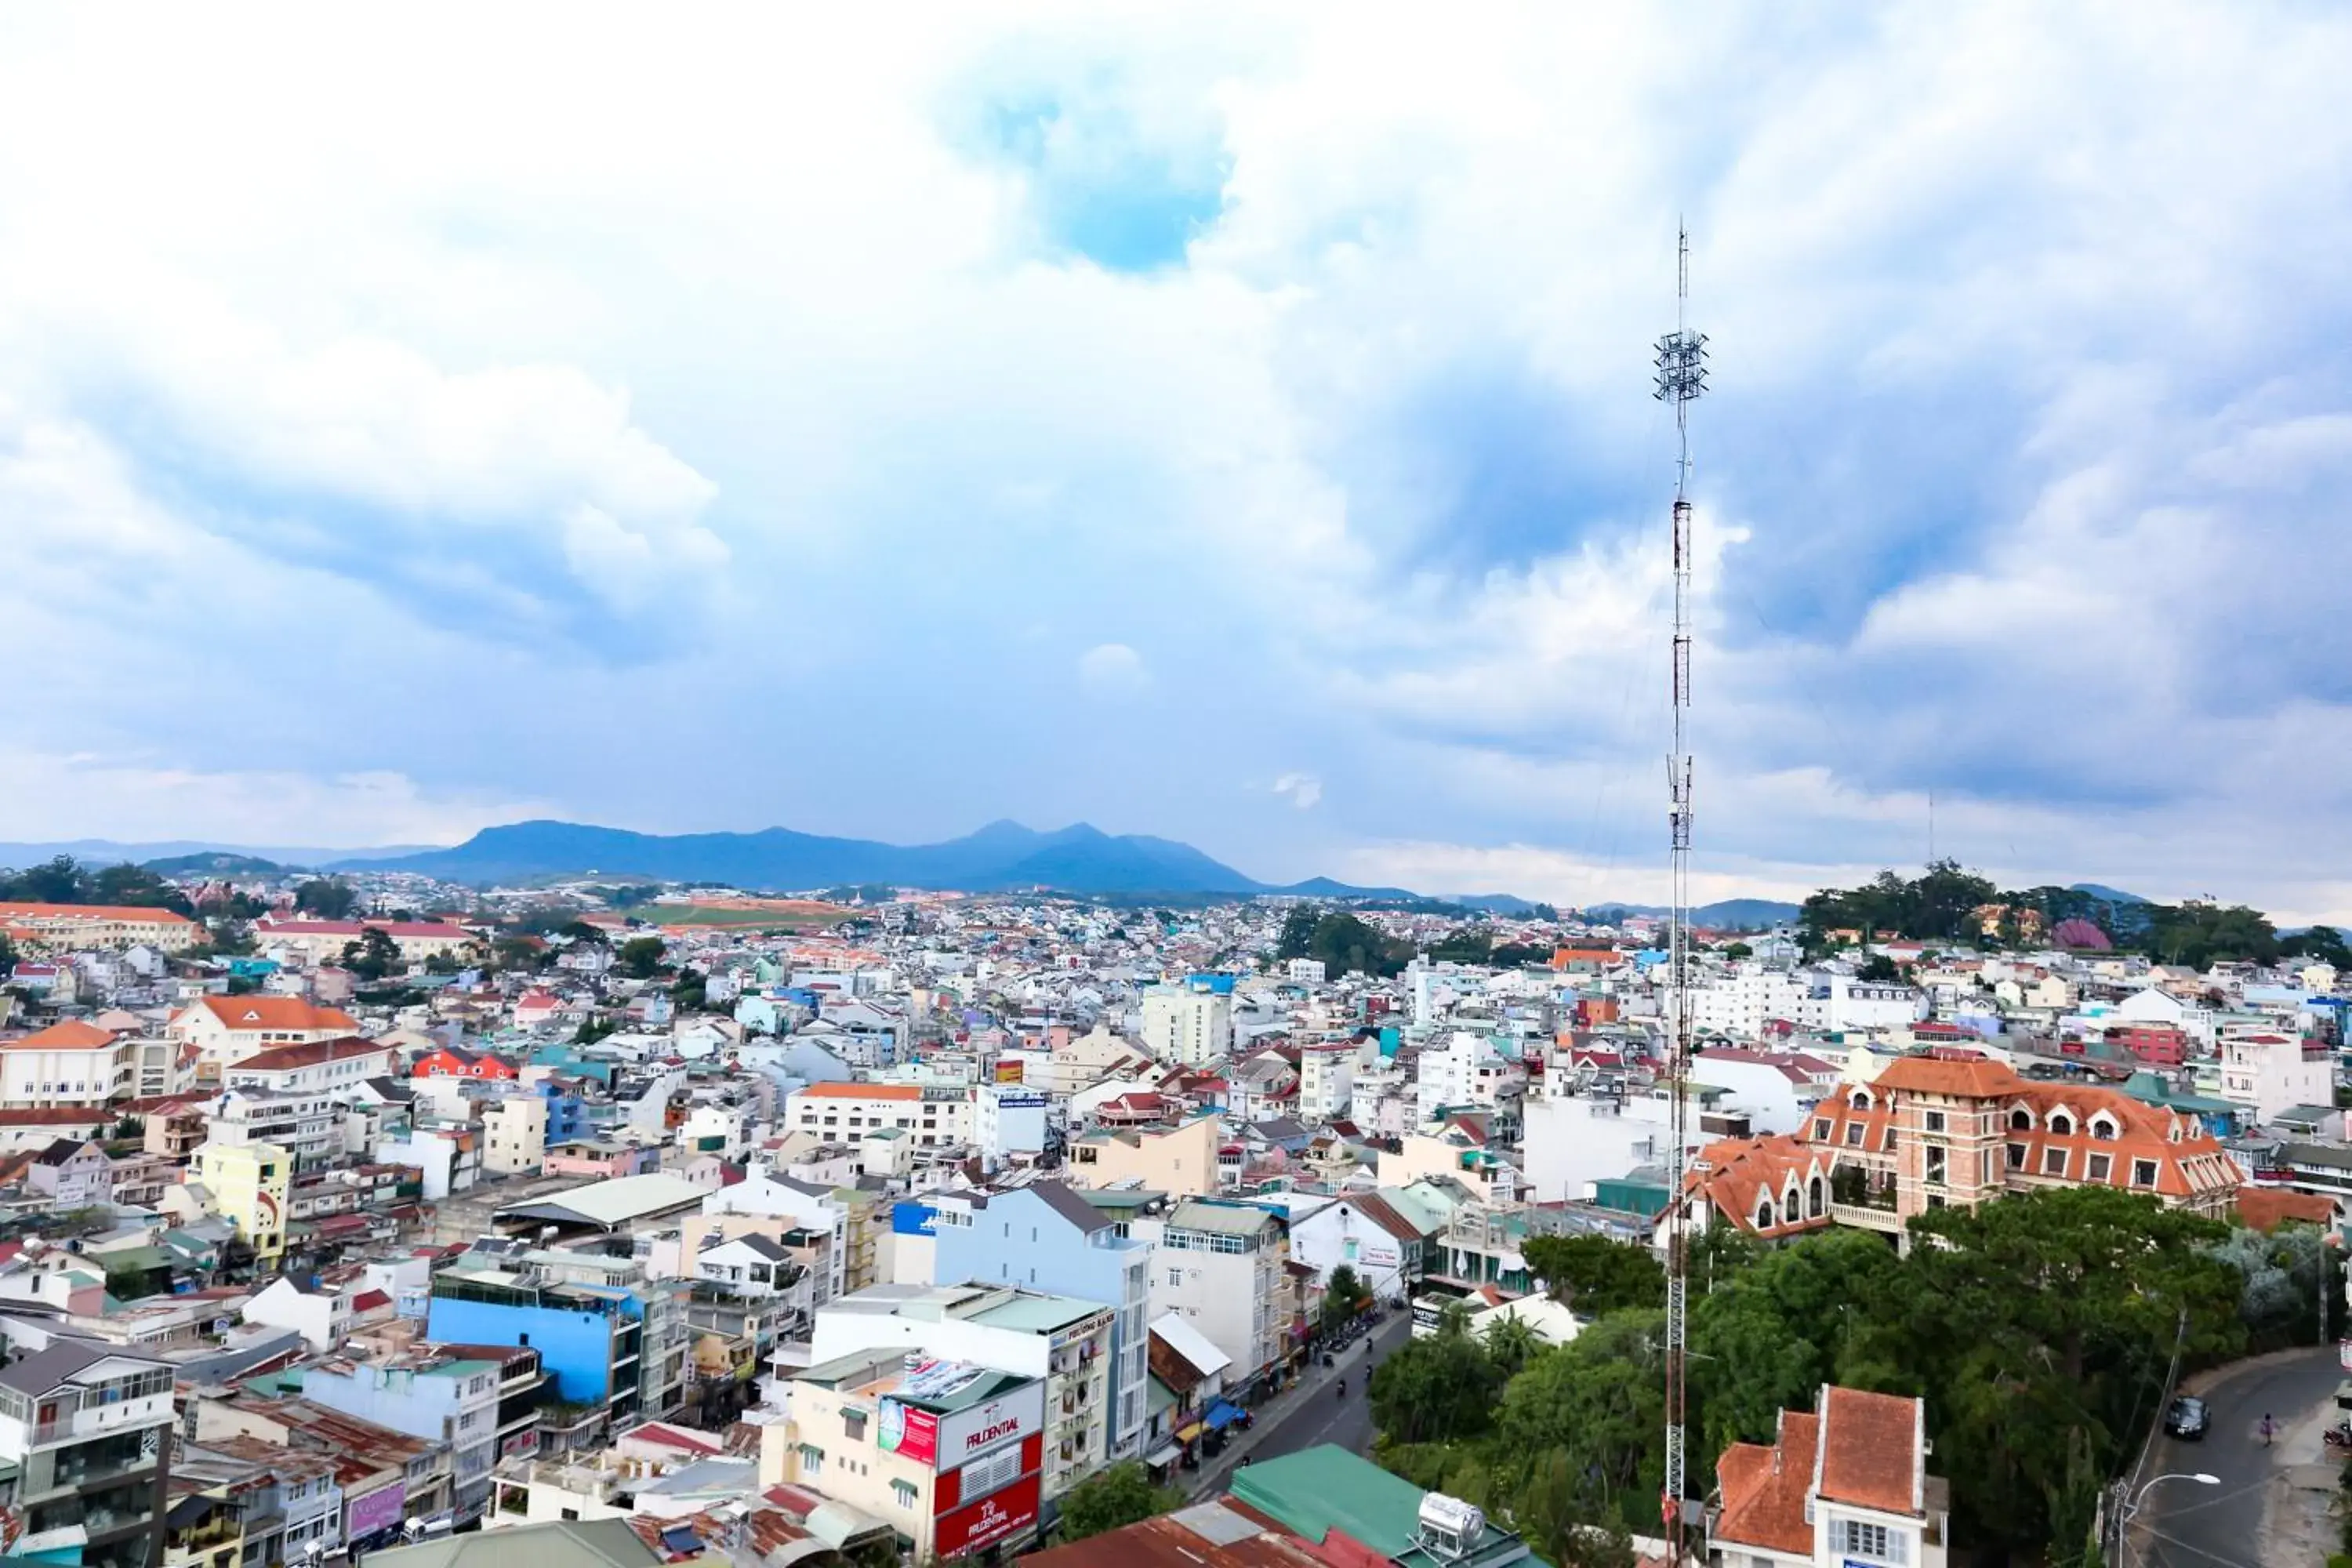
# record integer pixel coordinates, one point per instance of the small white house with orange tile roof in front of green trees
(1836, 1487)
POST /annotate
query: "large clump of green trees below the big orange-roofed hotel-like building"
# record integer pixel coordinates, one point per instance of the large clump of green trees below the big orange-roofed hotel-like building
(2040, 1332)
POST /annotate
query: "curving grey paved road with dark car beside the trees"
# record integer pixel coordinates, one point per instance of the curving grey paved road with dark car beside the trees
(2221, 1527)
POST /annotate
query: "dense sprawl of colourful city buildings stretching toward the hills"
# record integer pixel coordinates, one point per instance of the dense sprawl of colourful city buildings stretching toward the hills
(886, 1226)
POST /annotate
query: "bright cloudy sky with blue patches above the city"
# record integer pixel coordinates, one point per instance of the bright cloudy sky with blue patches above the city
(1215, 422)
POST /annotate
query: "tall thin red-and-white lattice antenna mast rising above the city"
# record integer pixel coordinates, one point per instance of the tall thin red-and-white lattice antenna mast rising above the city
(1683, 377)
